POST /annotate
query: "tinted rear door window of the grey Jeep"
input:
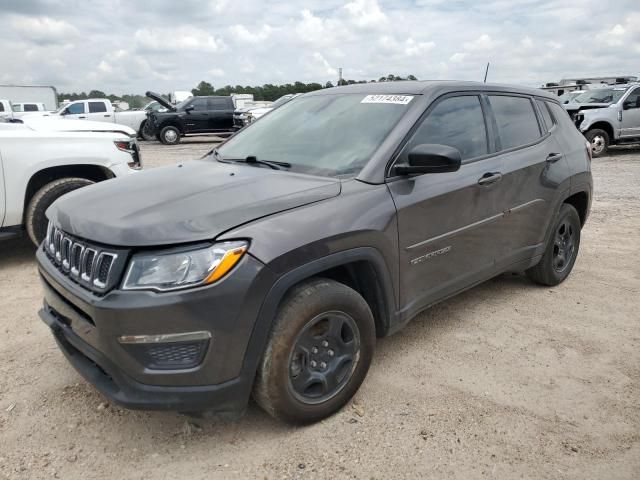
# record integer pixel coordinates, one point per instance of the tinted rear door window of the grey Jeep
(516, 119)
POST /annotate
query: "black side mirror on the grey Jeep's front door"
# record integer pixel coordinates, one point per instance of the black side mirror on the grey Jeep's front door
(431, 158)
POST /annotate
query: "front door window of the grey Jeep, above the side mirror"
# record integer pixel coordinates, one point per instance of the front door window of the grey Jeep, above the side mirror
(457, 122)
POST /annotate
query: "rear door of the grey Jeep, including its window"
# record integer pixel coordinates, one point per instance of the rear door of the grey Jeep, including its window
(533, 166)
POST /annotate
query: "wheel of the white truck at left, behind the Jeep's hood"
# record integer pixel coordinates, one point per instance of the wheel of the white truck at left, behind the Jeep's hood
(35, 219)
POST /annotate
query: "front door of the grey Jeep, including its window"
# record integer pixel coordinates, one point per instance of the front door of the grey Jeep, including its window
(447, 221)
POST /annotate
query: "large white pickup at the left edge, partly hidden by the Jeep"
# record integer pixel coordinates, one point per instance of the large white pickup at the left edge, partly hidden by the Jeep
(41, 160)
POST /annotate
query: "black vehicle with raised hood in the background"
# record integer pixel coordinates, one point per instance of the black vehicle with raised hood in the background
(195, 115)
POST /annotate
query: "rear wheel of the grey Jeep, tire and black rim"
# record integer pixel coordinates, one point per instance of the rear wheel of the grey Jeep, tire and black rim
(560, 255)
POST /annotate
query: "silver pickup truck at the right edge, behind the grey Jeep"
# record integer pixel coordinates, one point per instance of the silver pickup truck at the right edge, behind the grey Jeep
(608, 116)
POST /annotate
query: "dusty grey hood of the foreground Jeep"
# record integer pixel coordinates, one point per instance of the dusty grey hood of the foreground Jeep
(192, 202)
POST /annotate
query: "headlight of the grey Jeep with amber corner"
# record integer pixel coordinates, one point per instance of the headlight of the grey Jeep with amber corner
(173, 270)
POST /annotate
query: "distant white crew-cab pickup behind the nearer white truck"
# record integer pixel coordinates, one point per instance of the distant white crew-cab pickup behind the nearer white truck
(97, 110)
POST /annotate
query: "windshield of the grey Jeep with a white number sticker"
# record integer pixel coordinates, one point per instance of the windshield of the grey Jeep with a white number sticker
(328, 135)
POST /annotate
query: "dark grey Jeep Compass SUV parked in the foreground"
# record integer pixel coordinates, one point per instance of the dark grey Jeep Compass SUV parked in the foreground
(271, 265)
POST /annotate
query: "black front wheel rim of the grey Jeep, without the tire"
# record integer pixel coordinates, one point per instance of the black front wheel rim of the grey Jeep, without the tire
(324, 356)
